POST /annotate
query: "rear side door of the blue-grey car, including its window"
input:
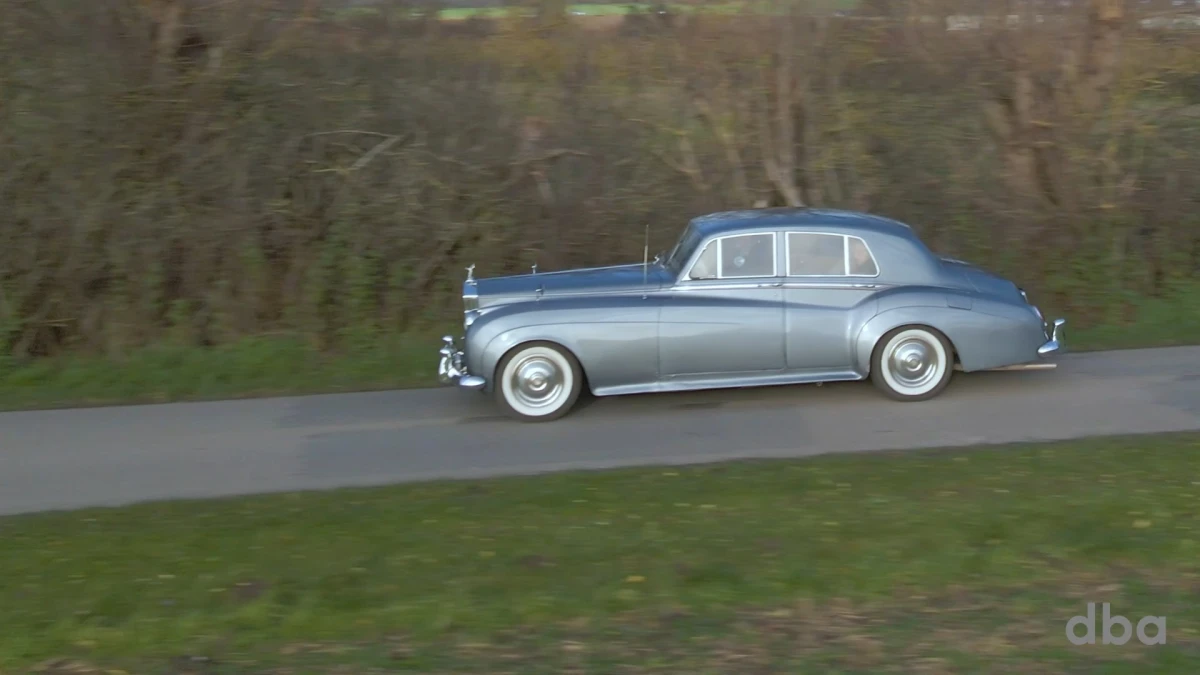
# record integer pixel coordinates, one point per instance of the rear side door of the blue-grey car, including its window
(830, 288)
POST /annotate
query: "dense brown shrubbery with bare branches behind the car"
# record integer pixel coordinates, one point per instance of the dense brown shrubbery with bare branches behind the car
(239, 170)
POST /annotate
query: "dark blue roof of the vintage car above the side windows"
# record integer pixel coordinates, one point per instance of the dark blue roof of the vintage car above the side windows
(727, 223)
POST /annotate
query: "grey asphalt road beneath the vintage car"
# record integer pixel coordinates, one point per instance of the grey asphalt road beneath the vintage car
(116, 456)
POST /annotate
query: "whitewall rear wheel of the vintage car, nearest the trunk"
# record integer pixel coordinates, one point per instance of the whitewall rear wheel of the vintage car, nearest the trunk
(913, 365)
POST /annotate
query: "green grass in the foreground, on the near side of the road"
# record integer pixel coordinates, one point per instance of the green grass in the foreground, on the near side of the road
(937, 563)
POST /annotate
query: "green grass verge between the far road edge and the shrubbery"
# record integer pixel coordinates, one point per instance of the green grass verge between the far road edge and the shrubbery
(292, 366)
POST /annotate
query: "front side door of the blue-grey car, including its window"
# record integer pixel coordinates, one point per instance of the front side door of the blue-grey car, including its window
(725, 315)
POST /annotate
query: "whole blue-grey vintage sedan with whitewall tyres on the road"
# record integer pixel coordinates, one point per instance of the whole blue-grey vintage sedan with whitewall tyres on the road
(747, 300)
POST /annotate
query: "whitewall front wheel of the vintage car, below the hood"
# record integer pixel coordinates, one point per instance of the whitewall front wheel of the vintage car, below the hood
(538, 383)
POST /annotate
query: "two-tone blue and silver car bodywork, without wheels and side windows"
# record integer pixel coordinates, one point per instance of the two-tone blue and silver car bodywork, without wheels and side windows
(647, 327)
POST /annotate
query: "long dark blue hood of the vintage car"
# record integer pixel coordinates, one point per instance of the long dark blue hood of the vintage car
(620, 279)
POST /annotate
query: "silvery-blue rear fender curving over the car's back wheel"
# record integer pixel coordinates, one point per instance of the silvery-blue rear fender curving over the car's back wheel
(991, 334)
